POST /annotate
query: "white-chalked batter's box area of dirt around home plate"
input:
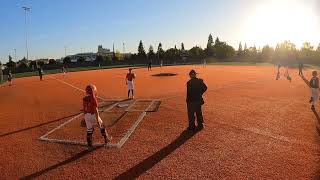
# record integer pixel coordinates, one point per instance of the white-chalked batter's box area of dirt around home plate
(121, 117)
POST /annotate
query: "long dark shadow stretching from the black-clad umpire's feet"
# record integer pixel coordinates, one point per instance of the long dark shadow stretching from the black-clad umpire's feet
(152, 160)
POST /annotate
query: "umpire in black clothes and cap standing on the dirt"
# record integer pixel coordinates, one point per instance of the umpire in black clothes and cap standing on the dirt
(195, 90)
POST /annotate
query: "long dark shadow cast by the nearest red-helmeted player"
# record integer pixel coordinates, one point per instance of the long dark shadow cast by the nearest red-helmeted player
(67, 161)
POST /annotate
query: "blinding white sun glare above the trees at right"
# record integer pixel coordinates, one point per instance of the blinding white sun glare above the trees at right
(277, 21)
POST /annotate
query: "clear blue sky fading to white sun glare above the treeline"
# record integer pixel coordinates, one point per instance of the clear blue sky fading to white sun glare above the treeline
(82, 25)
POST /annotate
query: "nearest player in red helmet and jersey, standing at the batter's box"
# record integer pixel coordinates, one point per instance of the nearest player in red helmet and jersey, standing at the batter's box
(91, 115)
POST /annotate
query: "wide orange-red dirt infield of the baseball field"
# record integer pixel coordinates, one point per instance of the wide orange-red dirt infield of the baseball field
(255, 127)
